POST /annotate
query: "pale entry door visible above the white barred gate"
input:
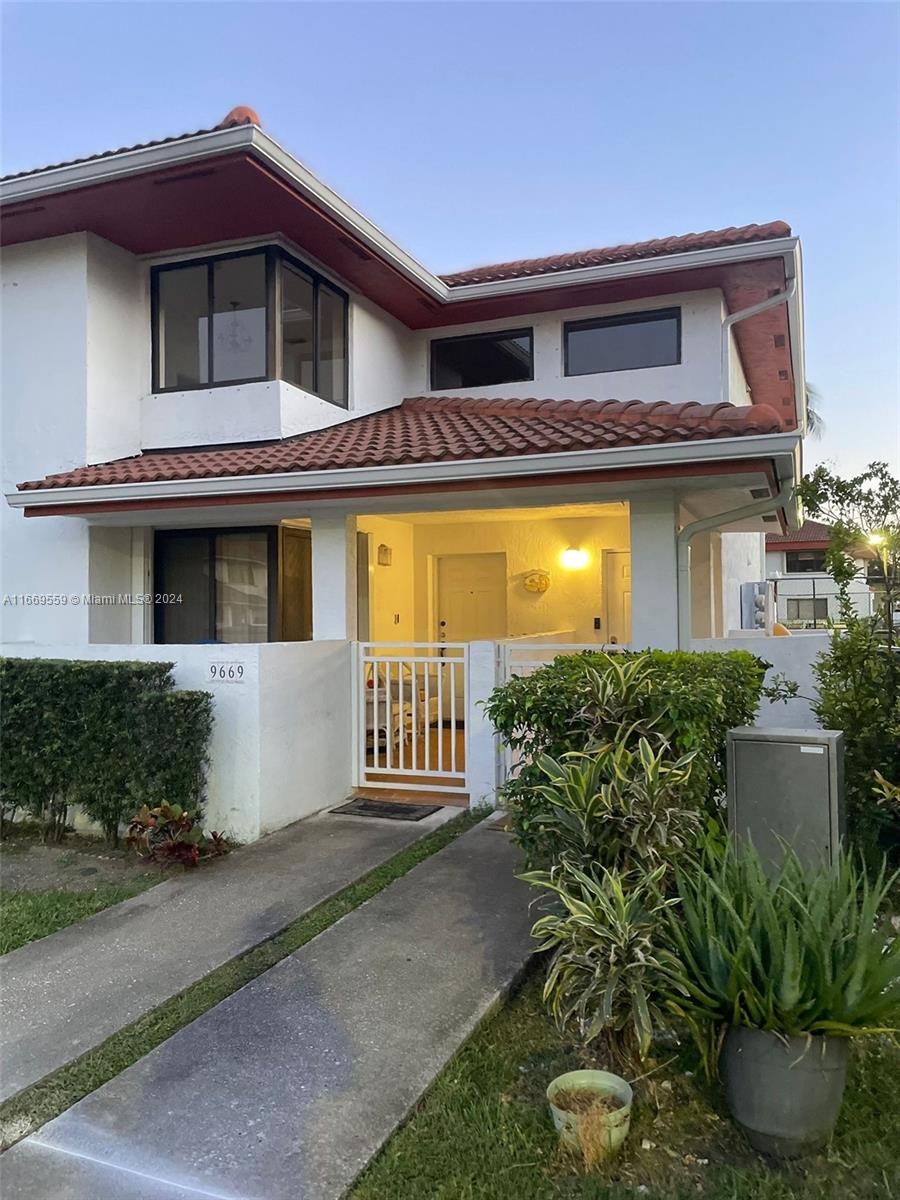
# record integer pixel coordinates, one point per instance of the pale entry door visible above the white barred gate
(471, 598)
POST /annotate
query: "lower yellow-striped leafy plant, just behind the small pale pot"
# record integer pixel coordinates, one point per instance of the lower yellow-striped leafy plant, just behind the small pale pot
(608, 969)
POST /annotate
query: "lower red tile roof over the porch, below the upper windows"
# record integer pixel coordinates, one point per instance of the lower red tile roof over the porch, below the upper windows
(440, 429)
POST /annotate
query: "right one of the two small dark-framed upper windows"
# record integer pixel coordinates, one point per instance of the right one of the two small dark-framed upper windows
(625, 343)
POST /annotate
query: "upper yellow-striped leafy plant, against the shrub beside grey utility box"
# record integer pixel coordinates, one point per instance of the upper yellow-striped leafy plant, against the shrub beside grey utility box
(619, 808)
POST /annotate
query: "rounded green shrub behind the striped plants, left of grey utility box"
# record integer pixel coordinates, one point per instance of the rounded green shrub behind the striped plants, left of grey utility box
(581, 701)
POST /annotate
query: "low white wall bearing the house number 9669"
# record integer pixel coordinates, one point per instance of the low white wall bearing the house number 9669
(281, 739)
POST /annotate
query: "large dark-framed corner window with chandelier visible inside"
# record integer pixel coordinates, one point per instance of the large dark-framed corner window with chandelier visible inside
(249, 316)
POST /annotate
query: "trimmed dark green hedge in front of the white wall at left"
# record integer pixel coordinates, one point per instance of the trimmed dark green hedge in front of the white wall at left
(106, 736)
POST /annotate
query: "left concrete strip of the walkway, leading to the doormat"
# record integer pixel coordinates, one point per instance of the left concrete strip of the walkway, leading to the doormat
(65, 994)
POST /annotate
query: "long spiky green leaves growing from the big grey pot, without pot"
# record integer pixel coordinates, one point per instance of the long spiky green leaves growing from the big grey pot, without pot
(808, 952)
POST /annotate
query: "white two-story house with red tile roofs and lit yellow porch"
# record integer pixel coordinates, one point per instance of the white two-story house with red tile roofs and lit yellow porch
(243, 424)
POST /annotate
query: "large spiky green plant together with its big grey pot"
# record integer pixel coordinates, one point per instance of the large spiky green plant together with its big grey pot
(775, 977)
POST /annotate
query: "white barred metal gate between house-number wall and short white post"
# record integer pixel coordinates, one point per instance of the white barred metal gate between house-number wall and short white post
(410, 703)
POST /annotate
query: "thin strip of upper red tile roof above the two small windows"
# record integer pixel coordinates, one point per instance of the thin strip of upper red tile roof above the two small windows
(658, 248)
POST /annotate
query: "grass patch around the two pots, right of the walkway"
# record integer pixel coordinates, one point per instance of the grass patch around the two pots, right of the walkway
(484, 1131)
